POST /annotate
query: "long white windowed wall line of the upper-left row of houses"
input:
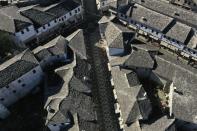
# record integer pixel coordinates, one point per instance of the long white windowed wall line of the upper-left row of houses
(31, 33)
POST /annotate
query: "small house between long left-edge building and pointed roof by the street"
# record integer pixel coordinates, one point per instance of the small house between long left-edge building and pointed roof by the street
(53, 53)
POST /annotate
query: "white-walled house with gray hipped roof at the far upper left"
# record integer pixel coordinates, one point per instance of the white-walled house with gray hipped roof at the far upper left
(19, 28)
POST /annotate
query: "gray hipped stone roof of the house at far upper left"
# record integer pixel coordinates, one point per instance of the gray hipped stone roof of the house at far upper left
(11, 20)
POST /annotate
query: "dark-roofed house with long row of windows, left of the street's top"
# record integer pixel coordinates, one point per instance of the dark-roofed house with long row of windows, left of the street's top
(48, 20)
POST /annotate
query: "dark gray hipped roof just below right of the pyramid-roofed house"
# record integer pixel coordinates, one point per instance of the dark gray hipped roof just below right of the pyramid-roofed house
(139, 59)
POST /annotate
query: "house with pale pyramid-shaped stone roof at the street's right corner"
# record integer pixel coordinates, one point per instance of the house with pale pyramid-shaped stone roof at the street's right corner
(117, 36)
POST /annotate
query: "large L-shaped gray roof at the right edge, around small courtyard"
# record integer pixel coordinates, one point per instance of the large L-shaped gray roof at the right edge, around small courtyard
(184, 79)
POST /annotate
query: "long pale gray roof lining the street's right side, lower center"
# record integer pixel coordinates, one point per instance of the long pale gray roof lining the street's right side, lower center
(126, 95)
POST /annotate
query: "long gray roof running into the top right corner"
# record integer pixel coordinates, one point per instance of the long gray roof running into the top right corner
(170, 10)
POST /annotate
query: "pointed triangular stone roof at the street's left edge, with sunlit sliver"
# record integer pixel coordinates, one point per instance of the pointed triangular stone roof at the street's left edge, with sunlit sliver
(77, 44)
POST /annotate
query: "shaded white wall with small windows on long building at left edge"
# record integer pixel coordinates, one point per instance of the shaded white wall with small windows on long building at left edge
(21, 87)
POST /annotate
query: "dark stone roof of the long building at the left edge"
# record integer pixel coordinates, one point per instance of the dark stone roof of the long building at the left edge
(16, 67)
